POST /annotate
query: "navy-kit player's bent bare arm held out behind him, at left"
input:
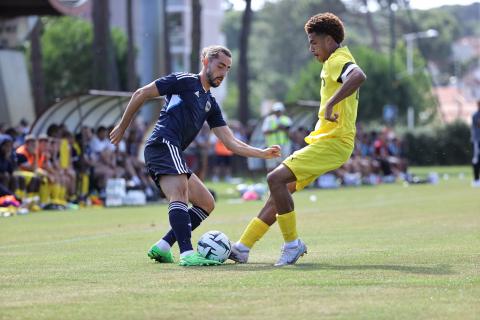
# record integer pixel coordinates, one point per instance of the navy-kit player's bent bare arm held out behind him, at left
(136, 101)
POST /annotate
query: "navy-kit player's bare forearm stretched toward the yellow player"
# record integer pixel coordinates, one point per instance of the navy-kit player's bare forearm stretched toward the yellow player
(241, 148)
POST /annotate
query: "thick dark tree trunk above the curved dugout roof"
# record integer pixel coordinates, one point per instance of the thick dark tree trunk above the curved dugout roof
(105, 68)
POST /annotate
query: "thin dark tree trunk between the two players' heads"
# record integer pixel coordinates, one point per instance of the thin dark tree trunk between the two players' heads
(243, 106)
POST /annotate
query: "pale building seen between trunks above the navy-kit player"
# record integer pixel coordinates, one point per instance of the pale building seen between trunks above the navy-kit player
(148, 39)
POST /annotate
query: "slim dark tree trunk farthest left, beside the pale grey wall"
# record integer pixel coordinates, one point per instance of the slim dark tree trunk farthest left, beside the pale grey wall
(38, 77)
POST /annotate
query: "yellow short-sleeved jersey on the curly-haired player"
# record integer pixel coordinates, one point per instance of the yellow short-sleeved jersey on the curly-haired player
(337, 66)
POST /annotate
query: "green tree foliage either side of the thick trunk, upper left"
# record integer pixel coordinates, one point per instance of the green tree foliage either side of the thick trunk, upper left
(67, 56)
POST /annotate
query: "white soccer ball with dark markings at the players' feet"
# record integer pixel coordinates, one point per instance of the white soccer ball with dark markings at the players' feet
(214, 245)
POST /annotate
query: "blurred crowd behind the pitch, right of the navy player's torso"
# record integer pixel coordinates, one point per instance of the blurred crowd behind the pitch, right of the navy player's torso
(378, 156)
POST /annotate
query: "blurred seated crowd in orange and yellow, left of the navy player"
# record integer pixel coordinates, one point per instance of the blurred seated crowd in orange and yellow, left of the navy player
(59, 169)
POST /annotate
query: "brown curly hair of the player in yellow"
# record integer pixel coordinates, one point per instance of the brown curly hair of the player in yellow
(326, 23)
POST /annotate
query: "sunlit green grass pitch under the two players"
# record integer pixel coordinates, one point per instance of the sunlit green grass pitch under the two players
(384, 252)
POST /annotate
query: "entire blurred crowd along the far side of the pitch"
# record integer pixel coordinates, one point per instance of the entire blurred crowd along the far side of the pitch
(60, 169)
